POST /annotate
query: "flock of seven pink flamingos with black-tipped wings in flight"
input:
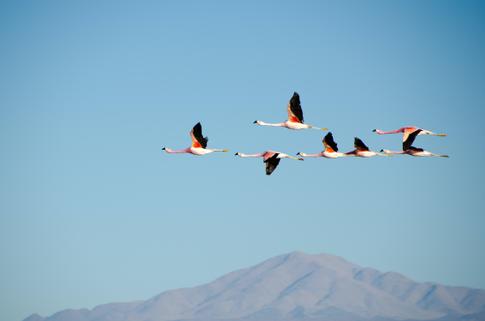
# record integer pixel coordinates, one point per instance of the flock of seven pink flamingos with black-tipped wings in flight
(295, 121)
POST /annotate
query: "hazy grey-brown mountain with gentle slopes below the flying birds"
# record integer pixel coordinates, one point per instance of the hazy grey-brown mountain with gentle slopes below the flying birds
(298, 287)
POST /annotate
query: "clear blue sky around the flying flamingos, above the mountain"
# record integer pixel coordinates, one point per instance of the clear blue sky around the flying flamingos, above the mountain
(92, 212)
